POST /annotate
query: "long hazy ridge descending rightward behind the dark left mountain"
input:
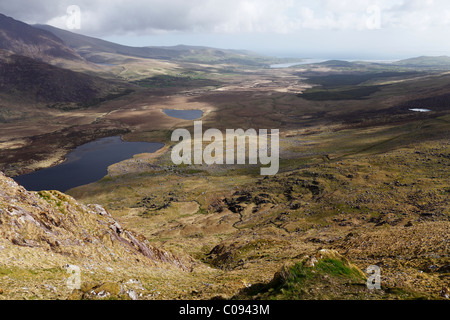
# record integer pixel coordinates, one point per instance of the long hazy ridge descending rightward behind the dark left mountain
(93, 50)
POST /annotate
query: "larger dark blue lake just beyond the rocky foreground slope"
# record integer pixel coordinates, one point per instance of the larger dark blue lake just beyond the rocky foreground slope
(86, 164)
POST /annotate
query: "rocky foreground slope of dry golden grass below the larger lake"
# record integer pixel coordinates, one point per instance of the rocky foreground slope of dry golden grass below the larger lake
(42, 233)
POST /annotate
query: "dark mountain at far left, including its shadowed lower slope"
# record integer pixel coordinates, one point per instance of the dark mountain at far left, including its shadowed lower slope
(38, 67)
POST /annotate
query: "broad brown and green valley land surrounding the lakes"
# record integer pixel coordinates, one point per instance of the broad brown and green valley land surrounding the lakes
(363, 177)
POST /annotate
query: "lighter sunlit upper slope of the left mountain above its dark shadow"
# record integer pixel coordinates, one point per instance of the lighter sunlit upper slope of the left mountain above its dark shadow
(23, 39)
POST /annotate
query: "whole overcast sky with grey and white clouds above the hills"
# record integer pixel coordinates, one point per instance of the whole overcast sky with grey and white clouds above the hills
(352, 29)
